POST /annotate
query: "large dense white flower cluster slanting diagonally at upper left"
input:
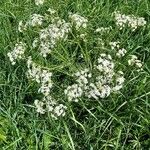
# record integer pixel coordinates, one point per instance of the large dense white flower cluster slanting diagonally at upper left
(52, 34)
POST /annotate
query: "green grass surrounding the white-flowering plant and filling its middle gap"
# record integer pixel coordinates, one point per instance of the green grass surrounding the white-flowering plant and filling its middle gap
(119, 122)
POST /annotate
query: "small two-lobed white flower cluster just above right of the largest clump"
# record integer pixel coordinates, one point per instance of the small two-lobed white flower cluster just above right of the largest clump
(120, 51)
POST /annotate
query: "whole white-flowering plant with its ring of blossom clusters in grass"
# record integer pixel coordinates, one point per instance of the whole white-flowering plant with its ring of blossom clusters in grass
(95, 82)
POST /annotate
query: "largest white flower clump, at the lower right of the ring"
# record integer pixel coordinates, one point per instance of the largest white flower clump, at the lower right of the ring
(103, 83)
